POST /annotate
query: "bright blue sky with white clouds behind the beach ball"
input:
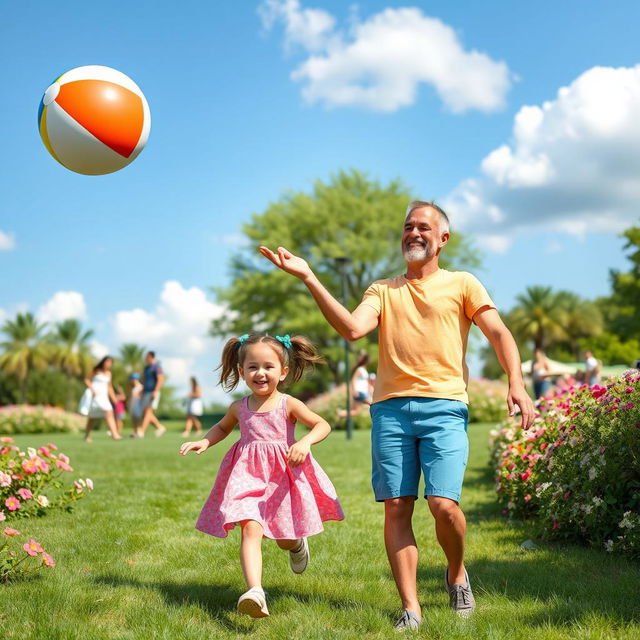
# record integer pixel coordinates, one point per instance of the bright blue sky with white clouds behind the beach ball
(238, 117)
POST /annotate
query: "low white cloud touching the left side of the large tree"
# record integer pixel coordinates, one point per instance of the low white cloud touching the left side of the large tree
(177, 330)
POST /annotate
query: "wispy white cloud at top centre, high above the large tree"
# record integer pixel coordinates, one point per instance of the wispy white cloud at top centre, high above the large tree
(381, 62)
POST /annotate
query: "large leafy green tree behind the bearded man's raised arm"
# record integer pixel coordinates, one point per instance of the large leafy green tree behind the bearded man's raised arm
(351, 216)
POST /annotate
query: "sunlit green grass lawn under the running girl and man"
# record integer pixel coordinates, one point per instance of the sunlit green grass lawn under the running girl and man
(131, 565)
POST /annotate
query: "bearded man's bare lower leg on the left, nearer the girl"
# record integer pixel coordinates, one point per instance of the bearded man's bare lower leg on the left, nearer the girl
(402, 550)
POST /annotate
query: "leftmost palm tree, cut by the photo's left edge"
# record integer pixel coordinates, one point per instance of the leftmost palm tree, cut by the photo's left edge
(25, 350)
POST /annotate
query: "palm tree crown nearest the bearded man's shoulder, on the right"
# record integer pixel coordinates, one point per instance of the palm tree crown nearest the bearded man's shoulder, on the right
(537, 316)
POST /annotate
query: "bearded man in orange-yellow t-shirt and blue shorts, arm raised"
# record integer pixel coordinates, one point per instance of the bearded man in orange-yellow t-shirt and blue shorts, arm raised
(419, 409)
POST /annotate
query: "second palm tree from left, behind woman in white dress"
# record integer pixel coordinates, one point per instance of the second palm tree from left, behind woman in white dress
(72, 352)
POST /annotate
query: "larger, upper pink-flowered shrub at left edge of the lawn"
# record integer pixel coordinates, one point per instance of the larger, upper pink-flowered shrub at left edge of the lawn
(30, 481)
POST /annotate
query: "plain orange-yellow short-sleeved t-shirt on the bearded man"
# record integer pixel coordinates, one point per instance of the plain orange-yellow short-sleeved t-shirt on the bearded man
(423, 330)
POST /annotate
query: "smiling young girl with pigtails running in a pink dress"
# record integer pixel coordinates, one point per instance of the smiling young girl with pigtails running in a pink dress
(267, 483)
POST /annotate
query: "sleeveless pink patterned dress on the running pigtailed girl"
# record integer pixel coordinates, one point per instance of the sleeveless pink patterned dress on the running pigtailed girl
(255, 482)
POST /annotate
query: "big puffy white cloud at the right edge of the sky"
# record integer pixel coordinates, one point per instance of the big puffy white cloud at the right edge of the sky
(572, 164)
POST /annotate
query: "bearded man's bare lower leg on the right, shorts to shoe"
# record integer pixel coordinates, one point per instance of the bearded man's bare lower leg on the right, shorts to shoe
(451, 528)
